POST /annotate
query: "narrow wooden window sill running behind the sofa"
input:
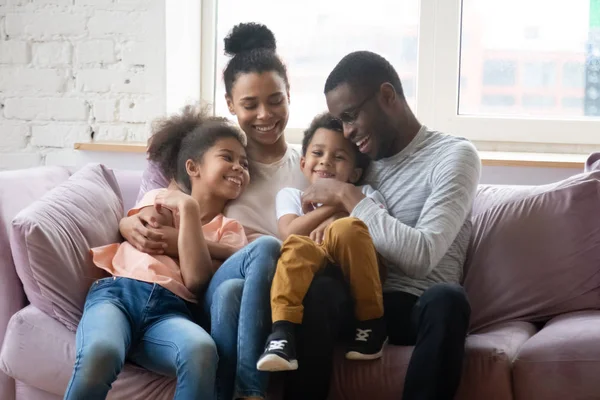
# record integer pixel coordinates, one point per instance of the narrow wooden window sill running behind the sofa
(488, 158)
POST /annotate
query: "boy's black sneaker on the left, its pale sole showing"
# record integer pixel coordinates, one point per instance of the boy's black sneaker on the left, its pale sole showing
(279, 354)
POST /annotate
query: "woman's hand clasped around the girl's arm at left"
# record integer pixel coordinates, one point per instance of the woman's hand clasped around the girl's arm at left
(143, 232)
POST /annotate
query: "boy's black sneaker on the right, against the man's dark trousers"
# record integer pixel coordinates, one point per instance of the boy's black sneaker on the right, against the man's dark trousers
(369, 340)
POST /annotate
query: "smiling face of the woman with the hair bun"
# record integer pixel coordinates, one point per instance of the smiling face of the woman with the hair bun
(260, 101)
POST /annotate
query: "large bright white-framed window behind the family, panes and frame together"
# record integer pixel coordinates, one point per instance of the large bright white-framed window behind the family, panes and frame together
(474, 68)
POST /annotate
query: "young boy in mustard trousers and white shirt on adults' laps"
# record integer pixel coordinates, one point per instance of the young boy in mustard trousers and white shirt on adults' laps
(317, 238)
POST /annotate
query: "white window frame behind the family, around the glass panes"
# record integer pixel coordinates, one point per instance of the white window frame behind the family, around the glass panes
(191, 63)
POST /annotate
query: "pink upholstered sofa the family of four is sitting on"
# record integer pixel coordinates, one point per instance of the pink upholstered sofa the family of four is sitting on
(557, 356)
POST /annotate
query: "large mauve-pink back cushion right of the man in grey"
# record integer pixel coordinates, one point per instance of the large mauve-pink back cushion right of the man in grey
(535, 252)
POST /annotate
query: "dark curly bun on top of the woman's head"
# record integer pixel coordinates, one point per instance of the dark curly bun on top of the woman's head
(249, 36)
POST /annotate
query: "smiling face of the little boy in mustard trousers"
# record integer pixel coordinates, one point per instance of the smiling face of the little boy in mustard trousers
(330, 156)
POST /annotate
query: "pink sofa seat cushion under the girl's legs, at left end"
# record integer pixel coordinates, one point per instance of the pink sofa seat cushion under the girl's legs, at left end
(40, 351)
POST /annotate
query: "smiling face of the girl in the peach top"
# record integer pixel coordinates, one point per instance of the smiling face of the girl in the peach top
(223, 170)
